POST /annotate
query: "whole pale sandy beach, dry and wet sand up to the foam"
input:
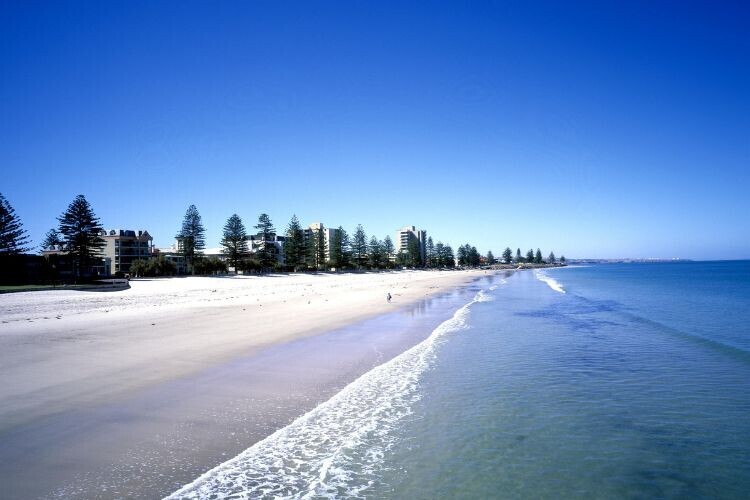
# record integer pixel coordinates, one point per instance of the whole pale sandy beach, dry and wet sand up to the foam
(68, 357)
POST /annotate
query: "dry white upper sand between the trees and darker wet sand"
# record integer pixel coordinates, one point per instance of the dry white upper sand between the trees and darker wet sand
(64, 349)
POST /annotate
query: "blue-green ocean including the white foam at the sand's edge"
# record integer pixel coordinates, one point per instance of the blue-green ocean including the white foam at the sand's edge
(608, 381)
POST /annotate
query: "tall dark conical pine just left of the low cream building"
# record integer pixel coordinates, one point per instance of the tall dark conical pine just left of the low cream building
(80, 229)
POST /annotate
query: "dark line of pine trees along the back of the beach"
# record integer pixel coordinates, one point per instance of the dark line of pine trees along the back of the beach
(77, 246)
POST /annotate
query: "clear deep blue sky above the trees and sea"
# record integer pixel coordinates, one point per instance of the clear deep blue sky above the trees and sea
(587, 129)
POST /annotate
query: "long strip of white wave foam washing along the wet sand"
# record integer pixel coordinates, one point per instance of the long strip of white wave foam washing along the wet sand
(337, 448)
